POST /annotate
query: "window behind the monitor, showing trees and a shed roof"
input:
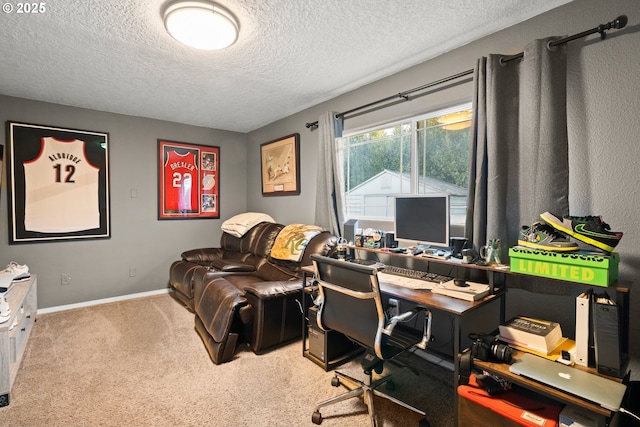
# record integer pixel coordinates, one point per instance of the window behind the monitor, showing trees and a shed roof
(426, 154)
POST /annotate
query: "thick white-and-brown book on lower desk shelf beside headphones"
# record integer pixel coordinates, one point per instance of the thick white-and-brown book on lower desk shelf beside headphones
(532, 334)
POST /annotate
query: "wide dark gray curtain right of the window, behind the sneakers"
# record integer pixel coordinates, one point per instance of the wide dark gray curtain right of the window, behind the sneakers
(519, 154)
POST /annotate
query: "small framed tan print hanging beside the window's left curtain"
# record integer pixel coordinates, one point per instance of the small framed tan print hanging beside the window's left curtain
(280, 164)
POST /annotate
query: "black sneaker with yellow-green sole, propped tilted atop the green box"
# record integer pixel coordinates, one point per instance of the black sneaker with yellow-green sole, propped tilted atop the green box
(589, 229)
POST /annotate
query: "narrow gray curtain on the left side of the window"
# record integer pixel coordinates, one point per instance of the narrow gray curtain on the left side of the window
(330, 189)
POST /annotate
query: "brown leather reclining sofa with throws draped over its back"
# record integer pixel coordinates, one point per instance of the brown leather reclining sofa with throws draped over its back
(240, 293)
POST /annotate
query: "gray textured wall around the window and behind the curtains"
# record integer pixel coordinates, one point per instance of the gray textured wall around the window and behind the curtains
(604, 124)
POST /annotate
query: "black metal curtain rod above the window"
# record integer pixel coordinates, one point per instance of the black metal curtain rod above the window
(619, 22)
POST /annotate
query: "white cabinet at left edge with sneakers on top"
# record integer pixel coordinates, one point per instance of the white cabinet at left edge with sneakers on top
(14, 333)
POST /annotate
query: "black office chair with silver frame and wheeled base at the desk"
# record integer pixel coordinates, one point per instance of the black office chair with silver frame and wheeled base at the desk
(351, 303)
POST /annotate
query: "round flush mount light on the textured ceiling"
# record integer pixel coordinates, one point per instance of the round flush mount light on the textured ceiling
(201, 24)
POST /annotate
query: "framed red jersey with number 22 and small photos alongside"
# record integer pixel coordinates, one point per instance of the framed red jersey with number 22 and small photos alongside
(189, 180)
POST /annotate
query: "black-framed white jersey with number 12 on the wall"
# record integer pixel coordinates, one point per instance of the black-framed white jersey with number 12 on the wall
(58, 184)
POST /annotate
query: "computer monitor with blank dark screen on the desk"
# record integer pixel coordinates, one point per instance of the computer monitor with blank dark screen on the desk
(423, 219)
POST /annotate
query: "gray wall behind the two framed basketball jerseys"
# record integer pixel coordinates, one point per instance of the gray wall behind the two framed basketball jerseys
(100, 268)
